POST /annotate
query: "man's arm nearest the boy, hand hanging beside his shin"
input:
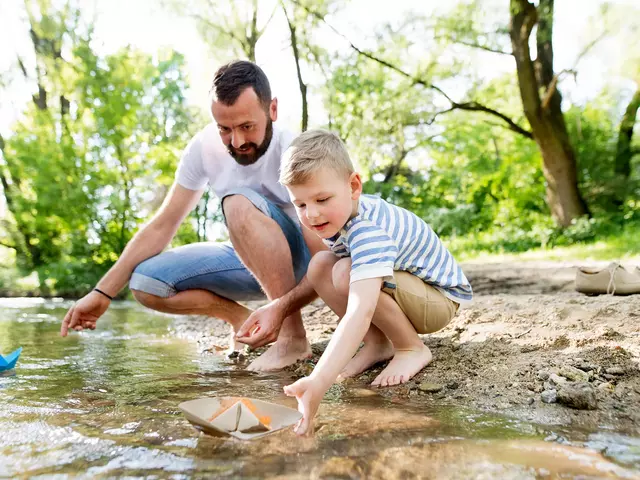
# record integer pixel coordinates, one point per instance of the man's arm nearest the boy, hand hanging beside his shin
(270, 317)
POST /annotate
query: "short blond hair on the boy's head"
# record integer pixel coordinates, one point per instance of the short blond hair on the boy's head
(311, 151)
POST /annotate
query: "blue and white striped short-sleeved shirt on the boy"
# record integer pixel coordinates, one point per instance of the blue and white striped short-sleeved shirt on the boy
(382, 238)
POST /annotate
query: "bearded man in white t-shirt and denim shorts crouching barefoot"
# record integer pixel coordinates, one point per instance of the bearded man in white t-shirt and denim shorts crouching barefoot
(239, 156)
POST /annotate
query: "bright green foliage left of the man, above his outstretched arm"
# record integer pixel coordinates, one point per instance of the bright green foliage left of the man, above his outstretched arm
(81, 180)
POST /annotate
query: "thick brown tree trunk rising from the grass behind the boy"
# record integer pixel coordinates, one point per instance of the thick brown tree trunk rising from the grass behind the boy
(545, 116)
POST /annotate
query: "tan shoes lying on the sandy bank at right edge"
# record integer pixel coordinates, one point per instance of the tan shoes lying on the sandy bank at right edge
(613, 280)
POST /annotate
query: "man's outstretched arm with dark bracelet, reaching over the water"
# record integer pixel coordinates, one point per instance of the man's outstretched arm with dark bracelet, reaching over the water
(150, 240)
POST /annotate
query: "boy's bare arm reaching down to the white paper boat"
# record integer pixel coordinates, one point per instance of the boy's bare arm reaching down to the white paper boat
(363, 299)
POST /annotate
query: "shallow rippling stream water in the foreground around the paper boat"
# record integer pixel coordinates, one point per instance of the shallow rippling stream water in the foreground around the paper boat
(104, 403)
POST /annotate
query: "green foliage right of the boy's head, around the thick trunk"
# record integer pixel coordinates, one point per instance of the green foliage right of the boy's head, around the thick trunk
(478, 185)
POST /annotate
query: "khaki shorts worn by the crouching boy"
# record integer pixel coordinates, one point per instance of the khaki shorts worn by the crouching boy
(427, 308)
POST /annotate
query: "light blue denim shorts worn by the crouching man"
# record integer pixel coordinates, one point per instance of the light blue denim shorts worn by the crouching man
(215, 266)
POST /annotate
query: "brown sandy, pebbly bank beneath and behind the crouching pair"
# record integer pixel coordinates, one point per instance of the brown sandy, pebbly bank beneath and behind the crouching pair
(527, 339)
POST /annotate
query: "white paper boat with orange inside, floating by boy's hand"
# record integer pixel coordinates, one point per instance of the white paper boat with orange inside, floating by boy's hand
(240, 417)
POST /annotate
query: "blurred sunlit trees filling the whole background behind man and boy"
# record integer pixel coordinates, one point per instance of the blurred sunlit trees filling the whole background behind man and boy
(499, 162)
